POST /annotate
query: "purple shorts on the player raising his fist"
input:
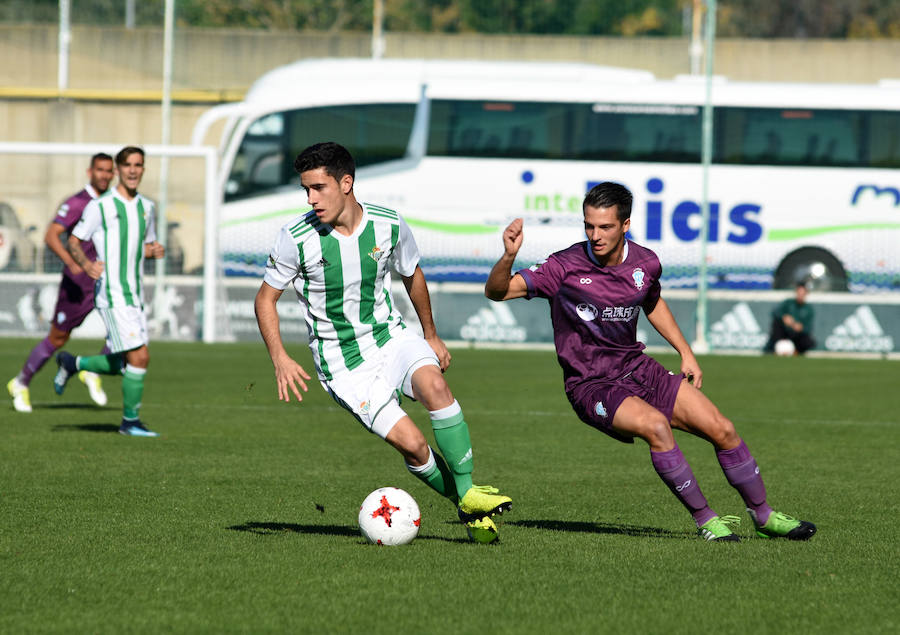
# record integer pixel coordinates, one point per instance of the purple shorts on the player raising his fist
(596, 402)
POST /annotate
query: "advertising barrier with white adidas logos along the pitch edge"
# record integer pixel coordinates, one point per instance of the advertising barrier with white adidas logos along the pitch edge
(738, 321)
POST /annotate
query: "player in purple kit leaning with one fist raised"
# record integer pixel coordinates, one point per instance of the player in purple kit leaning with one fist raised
(596, 291)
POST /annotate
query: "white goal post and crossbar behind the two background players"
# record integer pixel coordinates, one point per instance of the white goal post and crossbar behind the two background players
(212, 199)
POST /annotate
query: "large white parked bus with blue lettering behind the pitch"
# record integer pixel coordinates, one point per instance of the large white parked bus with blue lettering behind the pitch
(805, 181)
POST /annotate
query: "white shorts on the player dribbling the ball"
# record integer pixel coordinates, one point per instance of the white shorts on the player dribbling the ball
(371, 391)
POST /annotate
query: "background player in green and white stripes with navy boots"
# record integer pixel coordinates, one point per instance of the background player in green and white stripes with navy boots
(121, 226)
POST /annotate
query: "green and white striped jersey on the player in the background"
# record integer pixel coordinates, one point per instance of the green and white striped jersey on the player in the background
(118, 228)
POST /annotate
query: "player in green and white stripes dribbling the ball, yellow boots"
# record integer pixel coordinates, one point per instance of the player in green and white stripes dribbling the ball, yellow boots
(339, 257)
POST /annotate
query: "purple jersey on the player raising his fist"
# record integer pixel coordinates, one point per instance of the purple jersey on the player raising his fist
(595, 309)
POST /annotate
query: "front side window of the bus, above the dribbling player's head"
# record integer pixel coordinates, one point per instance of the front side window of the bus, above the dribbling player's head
(374, 133)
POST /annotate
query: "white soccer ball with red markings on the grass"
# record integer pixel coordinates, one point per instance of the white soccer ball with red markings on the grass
(389, 516)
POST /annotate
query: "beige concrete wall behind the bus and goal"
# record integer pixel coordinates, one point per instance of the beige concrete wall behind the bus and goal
(116, 77)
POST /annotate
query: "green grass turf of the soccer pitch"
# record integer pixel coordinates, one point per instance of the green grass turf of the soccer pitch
(242, 516)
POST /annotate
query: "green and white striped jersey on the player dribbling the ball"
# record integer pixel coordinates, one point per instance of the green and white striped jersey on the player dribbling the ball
(343, 283)
